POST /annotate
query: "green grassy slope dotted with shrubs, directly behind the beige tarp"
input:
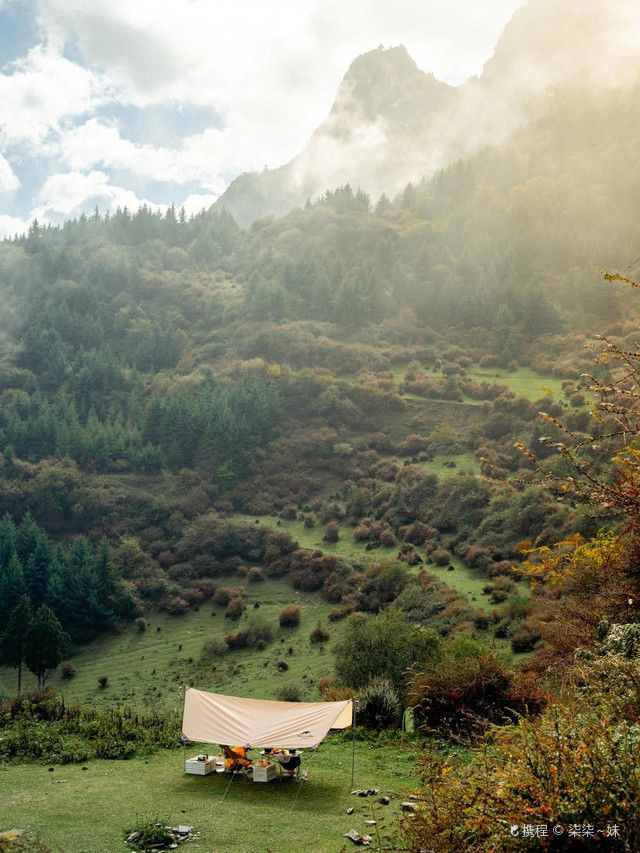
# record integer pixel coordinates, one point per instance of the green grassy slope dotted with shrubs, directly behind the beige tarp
(147, 669)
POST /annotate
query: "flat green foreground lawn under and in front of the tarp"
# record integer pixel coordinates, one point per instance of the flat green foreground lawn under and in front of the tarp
(87, 811)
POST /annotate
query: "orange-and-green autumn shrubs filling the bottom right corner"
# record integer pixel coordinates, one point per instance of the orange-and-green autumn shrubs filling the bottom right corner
(574, 765)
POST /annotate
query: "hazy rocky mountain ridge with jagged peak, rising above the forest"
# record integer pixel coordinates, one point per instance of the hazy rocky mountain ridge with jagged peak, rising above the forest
(392, 123)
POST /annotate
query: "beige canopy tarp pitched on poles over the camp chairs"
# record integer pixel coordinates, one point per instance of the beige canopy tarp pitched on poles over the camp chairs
(213, 718)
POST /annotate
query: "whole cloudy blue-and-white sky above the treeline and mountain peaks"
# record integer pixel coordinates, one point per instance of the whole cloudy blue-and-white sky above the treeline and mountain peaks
(114, 102)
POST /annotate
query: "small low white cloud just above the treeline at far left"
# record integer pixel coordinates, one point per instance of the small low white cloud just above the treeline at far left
(69, 193)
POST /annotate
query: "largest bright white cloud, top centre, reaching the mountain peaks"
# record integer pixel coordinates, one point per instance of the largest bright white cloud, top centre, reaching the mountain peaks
(272, 71)
